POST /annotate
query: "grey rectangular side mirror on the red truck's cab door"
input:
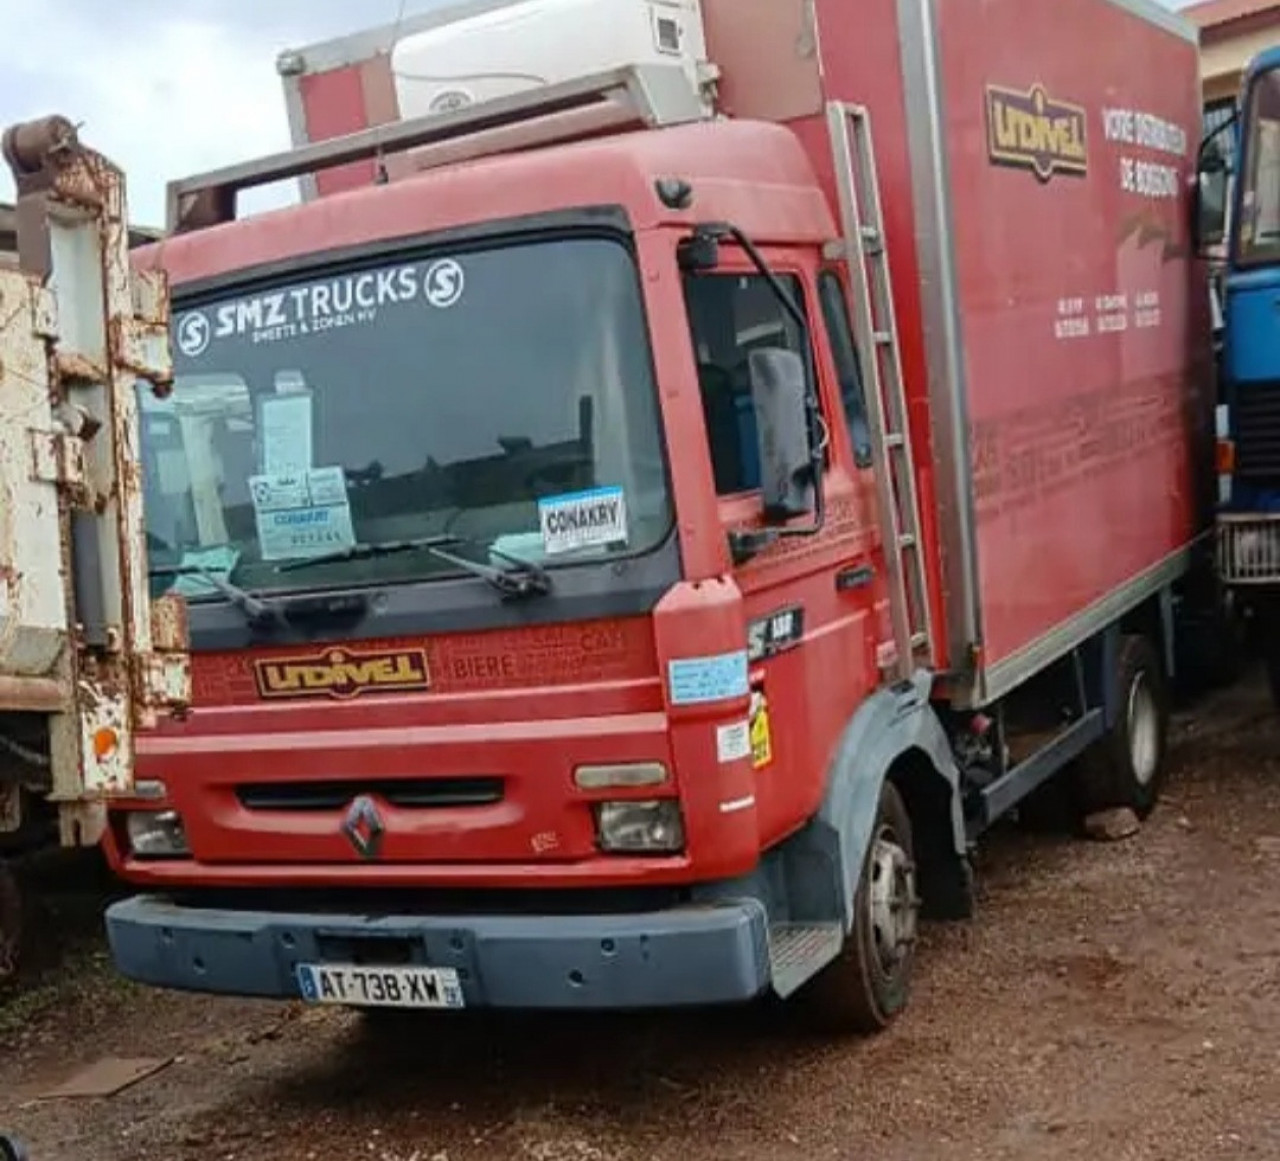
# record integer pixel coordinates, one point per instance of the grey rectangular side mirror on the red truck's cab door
(780, 391)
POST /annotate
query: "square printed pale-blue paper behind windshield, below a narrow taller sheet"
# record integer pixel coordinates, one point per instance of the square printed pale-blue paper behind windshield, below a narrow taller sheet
(303, 515)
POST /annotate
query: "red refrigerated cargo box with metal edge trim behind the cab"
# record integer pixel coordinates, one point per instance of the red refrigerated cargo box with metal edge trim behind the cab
(1035, 163)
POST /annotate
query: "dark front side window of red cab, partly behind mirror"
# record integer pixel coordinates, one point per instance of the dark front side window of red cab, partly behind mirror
(730, 316)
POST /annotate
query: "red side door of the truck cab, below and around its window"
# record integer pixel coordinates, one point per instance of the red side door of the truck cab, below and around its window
(811, 602)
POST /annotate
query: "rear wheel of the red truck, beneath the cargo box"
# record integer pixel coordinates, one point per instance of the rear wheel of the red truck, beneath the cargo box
(1127, 767)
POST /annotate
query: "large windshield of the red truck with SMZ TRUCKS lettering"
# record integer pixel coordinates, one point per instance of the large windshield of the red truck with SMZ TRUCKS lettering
(501, 396)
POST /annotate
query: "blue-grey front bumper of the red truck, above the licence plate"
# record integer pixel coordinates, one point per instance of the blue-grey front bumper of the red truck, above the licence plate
(697, 956)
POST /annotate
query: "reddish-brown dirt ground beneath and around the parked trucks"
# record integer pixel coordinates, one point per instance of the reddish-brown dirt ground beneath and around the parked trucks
(1118, 1002)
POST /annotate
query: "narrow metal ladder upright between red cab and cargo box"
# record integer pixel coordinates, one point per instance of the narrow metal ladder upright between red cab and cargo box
(876, 332)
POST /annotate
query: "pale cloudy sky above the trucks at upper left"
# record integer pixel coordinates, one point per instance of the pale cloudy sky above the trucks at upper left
(171, 88)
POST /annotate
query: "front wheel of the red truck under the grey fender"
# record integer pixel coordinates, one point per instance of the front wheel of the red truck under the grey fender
(868, 985)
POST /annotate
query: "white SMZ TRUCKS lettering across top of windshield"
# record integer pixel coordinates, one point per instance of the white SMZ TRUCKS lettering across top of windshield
(332, 304)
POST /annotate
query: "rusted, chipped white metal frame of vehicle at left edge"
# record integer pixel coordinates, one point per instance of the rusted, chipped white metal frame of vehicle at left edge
(83, 335)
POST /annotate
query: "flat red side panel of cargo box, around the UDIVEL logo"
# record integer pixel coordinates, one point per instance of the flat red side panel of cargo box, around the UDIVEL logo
(1084, 467)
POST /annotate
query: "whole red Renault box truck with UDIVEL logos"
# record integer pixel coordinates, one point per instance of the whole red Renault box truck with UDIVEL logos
(639, 528)
